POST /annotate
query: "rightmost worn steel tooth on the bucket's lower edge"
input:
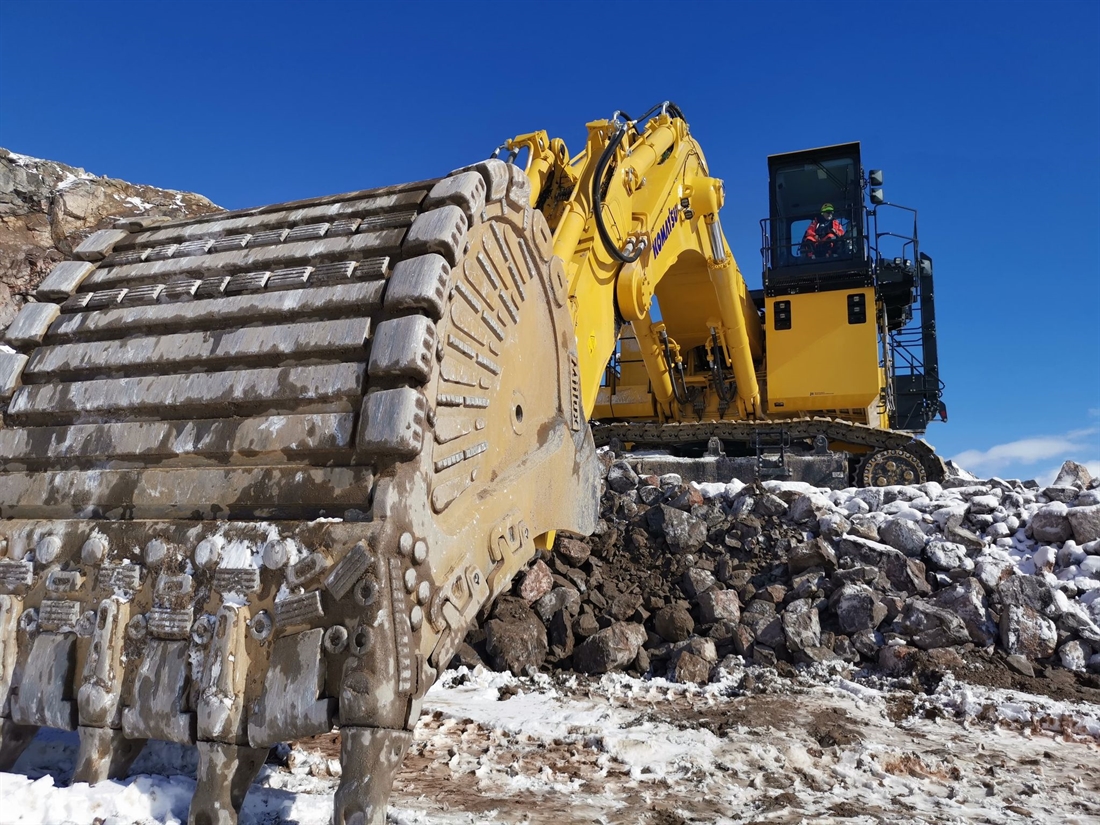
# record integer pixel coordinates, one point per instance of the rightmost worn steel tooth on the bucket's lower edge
(370, 758)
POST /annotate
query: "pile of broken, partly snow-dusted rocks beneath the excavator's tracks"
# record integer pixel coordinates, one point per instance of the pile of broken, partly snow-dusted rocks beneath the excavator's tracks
(678, 577)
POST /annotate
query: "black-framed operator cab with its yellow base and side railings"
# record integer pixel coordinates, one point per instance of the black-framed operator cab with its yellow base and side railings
(849, 296)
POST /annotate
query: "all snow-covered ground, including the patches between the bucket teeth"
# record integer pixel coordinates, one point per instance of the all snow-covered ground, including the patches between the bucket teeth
(753, 747)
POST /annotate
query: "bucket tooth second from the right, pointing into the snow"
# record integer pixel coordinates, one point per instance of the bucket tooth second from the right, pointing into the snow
(225, 775)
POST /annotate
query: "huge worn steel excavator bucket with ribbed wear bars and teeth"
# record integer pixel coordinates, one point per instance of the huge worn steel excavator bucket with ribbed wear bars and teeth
(262, 469)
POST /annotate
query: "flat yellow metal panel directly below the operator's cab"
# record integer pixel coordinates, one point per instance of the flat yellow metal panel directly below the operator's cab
(822, 361)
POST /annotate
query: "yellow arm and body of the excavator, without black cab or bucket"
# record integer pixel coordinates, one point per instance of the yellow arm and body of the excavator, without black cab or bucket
(695, 347)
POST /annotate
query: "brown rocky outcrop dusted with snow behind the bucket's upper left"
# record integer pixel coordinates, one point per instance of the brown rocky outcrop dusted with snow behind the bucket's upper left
(47, 208)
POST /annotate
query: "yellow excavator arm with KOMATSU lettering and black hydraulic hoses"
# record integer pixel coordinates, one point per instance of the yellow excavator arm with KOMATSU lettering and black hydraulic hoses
(636, 214)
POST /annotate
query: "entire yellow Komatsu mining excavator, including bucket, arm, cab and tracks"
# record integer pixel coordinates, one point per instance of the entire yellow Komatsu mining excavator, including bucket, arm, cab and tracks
(262, 469)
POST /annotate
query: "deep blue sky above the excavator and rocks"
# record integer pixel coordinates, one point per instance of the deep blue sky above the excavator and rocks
(985, 116)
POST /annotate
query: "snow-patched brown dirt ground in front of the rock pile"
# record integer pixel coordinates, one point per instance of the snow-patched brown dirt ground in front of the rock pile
(772, 751)
